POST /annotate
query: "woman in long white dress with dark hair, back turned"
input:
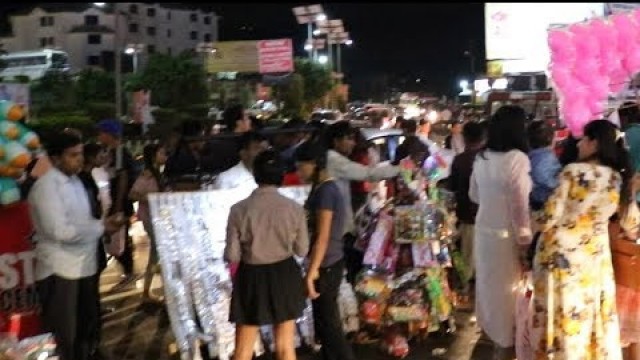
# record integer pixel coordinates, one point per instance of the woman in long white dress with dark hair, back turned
(500, 185)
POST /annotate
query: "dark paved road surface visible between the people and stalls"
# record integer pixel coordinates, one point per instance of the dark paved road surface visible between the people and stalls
(137, 332)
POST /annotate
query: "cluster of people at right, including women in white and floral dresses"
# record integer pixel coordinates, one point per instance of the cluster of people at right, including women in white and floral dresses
(548, 216)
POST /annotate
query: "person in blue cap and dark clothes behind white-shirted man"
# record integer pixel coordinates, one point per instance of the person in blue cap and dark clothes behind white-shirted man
(122, 173)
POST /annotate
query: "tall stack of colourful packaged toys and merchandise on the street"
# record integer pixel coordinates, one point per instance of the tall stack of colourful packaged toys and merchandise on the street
(404, 290)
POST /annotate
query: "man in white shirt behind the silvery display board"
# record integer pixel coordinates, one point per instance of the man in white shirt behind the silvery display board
(241, 175)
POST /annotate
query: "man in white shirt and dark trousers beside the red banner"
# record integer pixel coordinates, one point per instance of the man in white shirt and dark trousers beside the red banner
(66, 236)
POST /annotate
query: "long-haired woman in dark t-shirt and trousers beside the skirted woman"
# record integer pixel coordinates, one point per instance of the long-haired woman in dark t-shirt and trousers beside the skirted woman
(325, 208)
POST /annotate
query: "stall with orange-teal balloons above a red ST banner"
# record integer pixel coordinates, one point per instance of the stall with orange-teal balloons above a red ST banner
(20, 329)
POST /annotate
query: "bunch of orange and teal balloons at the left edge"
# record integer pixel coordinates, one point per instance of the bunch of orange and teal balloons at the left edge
(18, 144)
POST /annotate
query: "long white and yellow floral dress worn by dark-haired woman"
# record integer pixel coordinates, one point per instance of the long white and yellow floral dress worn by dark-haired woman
(574, 312)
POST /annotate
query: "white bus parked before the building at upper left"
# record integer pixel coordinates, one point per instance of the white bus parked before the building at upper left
(34, 64)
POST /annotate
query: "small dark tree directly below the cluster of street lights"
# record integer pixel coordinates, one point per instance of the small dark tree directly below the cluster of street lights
(317, 80)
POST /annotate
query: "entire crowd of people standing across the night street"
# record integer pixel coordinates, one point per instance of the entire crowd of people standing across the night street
(520, 209)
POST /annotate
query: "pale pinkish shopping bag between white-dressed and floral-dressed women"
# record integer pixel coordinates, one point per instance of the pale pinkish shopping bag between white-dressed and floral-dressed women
(524, 295)
